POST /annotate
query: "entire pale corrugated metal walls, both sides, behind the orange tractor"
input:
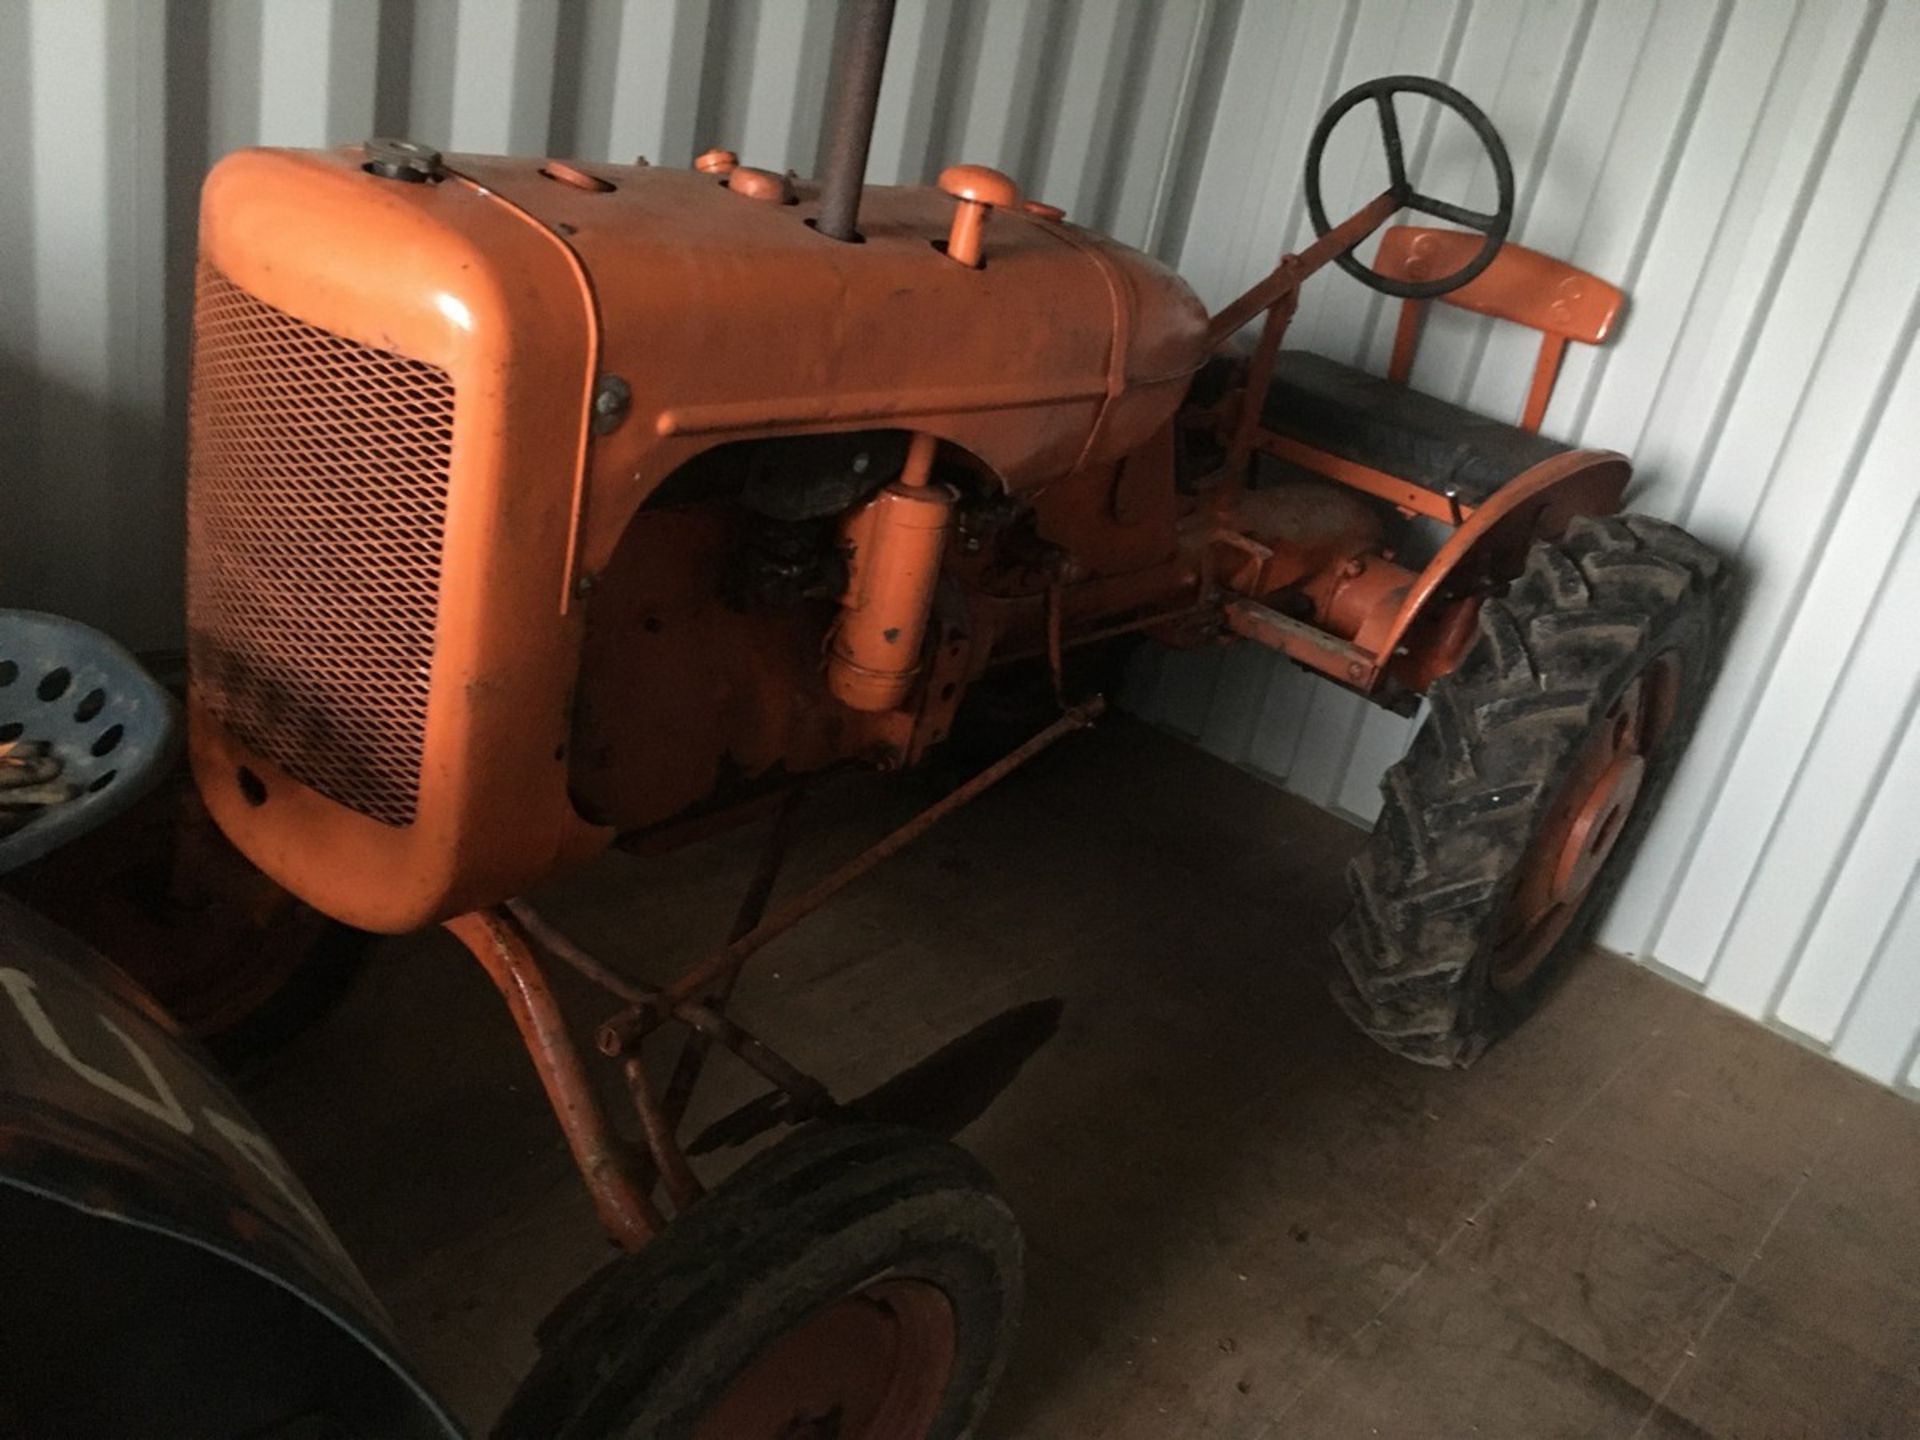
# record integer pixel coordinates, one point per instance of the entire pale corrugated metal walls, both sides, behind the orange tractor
(1744, 170)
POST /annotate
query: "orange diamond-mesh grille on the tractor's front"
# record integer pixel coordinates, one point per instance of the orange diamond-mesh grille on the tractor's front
(316, 514)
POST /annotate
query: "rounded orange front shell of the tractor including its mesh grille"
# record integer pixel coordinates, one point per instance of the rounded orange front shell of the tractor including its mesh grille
(364, 596)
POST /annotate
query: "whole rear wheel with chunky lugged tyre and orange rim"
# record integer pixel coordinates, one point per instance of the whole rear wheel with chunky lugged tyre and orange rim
(1514, 817)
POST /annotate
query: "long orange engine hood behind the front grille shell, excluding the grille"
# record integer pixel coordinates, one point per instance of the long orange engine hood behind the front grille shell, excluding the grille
(729, 318)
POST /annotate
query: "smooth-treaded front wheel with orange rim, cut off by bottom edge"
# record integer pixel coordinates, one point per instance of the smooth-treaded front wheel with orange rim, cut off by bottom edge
(853, 1284)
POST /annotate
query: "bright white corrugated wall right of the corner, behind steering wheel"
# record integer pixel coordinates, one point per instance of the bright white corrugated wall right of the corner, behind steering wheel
(1750, 174)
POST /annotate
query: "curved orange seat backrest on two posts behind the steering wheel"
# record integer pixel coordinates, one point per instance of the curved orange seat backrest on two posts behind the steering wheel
(1522, 285)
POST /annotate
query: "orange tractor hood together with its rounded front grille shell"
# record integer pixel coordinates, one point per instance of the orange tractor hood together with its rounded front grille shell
(425, 414)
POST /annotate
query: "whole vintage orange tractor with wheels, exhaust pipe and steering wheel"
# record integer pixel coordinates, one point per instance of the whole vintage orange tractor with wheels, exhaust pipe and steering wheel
(544, 506)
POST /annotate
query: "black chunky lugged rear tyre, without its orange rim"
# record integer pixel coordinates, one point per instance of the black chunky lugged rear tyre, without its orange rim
(1462, 807)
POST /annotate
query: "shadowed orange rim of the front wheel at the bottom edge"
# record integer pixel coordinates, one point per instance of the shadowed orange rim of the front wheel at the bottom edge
(869, 1368)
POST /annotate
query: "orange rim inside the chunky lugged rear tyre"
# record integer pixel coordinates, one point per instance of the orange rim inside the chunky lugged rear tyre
(1585, 823)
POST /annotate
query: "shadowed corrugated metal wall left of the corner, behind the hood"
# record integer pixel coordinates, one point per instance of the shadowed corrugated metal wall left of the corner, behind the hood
(116, 108)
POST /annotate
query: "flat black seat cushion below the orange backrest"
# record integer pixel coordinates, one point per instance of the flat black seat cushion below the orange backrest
(1389, 427)
